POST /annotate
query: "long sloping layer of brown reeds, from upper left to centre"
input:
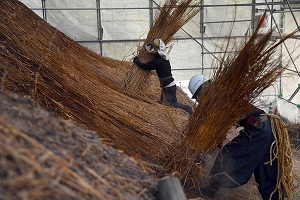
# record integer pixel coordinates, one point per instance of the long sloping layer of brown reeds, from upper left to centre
(75, 83)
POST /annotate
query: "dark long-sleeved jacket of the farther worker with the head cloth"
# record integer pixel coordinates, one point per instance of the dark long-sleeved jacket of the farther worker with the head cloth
(162, 67)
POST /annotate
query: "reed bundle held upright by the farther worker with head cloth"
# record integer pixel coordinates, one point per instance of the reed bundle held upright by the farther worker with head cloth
(172, 16)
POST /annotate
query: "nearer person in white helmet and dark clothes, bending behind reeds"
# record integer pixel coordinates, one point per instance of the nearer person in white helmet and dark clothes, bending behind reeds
(247, 154)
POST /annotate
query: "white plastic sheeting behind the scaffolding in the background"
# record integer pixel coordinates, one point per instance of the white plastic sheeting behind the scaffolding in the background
(117, 28)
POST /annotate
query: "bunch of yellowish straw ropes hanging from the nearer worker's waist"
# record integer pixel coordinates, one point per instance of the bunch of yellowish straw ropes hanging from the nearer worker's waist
(287, 179)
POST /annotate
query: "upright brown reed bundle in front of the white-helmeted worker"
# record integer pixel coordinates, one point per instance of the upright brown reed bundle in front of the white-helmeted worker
(235, 86)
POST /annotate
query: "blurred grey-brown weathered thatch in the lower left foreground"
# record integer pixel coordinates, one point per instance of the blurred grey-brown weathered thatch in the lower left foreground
(43, 157)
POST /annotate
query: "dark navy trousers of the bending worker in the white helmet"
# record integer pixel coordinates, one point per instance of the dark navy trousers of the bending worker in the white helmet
(248, 153)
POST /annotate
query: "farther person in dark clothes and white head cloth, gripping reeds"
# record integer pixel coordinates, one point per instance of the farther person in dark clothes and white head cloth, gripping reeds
(162, 65)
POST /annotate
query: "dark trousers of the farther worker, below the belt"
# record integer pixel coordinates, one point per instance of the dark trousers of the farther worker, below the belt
(169, 95)
